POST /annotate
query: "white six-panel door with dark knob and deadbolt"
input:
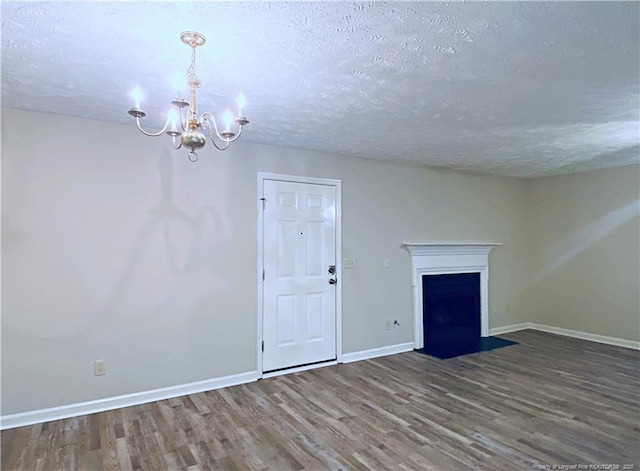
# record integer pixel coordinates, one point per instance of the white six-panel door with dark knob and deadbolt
(299, 300)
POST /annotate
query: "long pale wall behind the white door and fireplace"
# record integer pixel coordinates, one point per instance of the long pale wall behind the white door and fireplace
(116, 247)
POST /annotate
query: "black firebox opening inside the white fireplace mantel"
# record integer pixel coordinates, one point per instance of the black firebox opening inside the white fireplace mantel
(451, 314)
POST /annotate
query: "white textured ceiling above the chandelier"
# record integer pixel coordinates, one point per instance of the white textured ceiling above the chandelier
(510, 88)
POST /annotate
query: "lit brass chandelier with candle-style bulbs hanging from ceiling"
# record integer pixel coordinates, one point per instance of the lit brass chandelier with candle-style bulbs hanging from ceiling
(186, 128)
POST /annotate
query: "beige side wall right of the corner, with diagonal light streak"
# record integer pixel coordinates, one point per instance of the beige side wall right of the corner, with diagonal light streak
(585, 235)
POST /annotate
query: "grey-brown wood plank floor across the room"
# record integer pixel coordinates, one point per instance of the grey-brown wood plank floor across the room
(550, 400)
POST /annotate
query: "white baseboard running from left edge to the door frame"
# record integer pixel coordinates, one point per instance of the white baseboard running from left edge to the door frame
(126, 400)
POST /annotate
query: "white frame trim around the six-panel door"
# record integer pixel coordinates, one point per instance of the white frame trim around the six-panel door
(337, 184)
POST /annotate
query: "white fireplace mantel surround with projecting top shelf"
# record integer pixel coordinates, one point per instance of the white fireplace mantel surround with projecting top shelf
(437, 258)
